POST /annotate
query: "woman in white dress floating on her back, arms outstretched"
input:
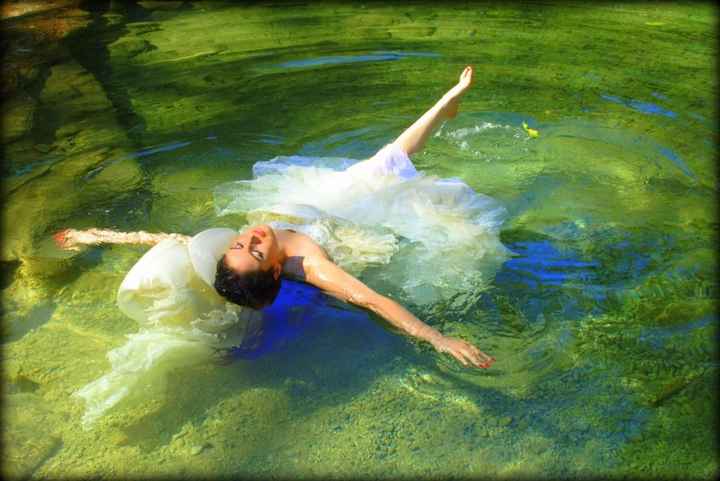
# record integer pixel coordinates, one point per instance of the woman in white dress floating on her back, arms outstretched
(314, 225)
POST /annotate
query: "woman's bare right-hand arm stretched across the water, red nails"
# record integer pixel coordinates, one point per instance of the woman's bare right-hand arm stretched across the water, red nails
(330, 278)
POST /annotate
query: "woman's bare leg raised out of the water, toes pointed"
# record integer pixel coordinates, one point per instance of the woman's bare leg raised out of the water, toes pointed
(413, 139)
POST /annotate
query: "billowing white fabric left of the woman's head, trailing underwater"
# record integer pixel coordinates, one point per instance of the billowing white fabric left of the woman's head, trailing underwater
(183, 321)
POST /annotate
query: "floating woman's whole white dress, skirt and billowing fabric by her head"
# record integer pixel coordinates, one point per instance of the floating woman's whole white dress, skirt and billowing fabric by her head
(435, 238)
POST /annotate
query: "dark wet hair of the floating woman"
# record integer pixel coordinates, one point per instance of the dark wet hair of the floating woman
(255, 289)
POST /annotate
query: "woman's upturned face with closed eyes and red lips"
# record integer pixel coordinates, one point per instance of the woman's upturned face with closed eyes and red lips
(254, 249)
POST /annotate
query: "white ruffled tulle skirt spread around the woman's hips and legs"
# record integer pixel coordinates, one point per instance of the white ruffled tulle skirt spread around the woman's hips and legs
(438, 236)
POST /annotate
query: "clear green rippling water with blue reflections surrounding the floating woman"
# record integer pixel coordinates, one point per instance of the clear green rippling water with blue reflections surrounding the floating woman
(603, 320)
